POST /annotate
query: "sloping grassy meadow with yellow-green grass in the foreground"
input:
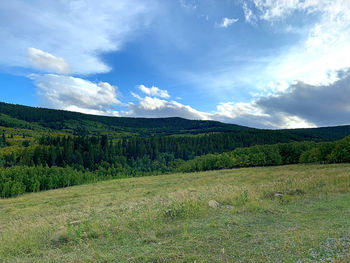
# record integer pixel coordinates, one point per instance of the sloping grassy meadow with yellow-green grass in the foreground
(298, 213)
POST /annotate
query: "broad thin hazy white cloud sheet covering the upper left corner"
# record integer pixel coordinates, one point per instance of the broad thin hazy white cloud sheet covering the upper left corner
(77, 31)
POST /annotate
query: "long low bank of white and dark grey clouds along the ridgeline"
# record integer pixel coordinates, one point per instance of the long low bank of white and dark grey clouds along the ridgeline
(299, 105)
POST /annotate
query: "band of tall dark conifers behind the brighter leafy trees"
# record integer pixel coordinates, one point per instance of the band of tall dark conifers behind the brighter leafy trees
(91, 152)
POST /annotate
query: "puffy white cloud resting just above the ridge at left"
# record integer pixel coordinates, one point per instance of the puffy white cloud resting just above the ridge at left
(76, 94)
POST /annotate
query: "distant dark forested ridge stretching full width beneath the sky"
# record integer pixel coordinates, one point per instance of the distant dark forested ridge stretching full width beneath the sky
(74, 123)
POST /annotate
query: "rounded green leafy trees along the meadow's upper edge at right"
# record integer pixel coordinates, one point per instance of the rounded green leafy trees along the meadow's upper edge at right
(269, 155)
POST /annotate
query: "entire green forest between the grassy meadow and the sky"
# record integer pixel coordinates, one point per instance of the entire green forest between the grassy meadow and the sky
(42, 149)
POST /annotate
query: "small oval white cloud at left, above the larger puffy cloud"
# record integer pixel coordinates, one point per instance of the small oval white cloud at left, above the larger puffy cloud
(47, 61)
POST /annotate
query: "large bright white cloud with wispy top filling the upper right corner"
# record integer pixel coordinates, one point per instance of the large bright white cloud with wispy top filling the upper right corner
(324, 46)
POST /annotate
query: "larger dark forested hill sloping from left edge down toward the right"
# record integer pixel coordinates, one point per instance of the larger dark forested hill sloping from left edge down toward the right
(60, 119)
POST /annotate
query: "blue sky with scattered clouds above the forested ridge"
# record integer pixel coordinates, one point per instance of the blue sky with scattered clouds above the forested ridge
(259, 63)
